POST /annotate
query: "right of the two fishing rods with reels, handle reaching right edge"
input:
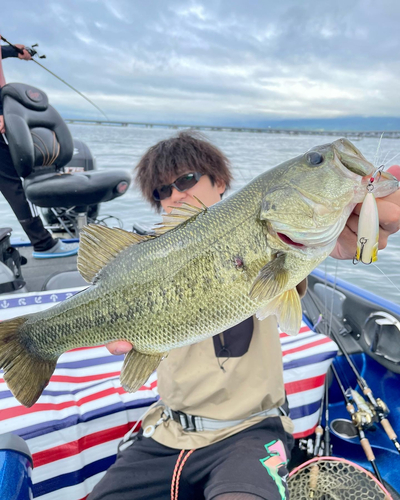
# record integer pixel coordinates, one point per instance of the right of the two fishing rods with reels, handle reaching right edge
(379, 406)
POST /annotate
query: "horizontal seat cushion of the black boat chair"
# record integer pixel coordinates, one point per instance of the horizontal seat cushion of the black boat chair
(77, 189)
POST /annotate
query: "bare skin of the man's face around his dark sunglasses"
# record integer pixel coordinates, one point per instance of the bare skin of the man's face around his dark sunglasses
(203, 190)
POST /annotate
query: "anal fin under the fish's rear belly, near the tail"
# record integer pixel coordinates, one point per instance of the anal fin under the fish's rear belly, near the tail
(137, 368)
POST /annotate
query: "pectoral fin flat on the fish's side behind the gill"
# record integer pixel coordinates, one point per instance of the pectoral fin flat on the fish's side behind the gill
(270, 280)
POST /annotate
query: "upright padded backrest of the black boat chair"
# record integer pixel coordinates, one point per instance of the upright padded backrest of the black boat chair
(36, 133)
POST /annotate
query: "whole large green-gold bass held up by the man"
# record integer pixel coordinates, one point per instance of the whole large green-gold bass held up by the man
(203, 270)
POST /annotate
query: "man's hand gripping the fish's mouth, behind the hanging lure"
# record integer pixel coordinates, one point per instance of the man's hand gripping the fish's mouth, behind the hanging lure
(389, 223)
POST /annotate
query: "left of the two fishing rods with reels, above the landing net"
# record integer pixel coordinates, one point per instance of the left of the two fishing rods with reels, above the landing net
(361, 420)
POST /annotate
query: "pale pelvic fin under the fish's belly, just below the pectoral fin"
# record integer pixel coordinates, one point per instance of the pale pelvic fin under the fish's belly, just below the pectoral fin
(287, 309)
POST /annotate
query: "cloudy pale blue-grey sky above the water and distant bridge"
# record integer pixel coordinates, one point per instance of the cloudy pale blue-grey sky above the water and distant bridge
(218, 62)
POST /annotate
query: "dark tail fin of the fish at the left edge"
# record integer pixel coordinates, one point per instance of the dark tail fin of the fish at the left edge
(26, 374)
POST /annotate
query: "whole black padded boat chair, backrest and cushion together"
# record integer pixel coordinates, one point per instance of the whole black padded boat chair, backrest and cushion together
(59, 171)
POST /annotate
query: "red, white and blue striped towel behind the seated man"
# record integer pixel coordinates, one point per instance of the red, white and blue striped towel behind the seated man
(74, 429)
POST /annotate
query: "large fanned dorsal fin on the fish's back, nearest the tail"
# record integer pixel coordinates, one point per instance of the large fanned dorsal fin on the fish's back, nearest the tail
(99, 245)
